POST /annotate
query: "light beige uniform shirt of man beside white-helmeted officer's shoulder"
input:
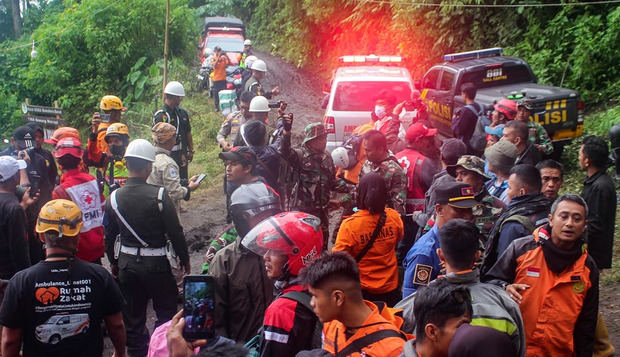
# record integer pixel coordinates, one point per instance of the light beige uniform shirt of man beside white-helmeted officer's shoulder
(166, 174)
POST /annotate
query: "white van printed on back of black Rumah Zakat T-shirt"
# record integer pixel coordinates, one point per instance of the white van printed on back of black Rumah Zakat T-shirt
(59, 327)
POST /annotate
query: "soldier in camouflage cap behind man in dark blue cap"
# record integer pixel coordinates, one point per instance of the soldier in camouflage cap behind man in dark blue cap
(469, 169)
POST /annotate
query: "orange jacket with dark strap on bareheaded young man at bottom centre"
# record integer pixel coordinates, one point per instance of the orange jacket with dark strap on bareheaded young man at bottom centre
(388, 345)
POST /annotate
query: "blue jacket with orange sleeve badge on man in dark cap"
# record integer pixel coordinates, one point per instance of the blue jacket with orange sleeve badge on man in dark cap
(422, 263)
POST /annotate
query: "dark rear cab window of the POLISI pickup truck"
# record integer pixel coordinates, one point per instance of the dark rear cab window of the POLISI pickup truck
(498, 76)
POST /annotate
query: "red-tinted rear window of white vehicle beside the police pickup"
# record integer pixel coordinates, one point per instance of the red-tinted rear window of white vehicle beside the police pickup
(361, 96)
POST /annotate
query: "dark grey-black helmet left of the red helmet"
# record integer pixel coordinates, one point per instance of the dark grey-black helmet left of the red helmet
(251, 203)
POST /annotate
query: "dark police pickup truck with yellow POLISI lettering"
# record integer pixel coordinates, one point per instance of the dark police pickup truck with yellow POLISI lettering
(559, 110)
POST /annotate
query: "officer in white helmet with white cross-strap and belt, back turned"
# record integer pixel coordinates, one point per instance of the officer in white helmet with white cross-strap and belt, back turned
(144, 218)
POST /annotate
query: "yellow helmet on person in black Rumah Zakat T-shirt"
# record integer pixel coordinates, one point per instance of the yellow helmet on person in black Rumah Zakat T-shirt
(62, 216)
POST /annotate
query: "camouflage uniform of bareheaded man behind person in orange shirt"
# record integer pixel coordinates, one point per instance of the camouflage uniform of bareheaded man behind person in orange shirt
(395, 179)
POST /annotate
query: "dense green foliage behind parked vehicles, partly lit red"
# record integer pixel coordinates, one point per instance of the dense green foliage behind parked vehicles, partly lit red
(579, 44)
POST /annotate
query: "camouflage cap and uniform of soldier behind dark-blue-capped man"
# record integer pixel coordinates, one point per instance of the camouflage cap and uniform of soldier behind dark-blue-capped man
(490, 208)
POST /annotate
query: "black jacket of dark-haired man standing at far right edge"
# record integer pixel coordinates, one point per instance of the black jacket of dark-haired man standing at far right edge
(600, 195)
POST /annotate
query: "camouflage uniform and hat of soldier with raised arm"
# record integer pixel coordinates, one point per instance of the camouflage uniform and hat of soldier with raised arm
(314, 177)
